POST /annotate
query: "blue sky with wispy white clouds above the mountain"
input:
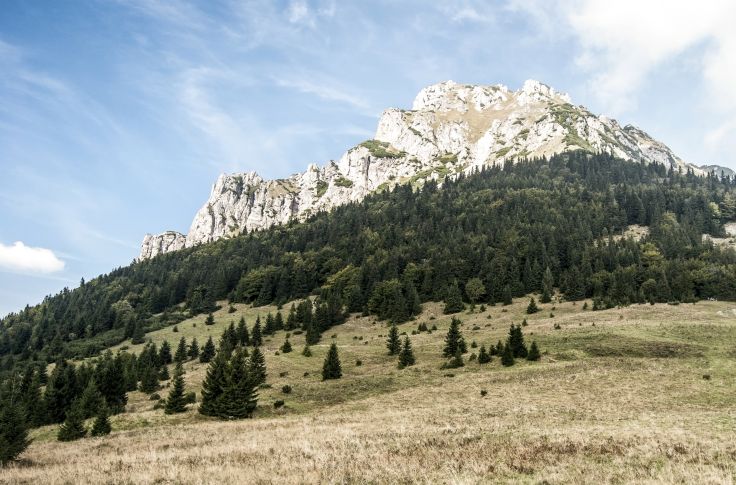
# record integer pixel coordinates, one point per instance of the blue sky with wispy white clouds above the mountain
(116, 116)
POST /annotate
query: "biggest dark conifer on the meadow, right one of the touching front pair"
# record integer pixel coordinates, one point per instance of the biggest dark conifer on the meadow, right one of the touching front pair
(239, 397)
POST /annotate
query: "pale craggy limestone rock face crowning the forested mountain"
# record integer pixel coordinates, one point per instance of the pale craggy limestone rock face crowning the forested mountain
(451, 129)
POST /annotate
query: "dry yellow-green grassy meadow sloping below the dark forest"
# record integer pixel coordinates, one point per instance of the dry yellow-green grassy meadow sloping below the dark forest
(643, 394)
